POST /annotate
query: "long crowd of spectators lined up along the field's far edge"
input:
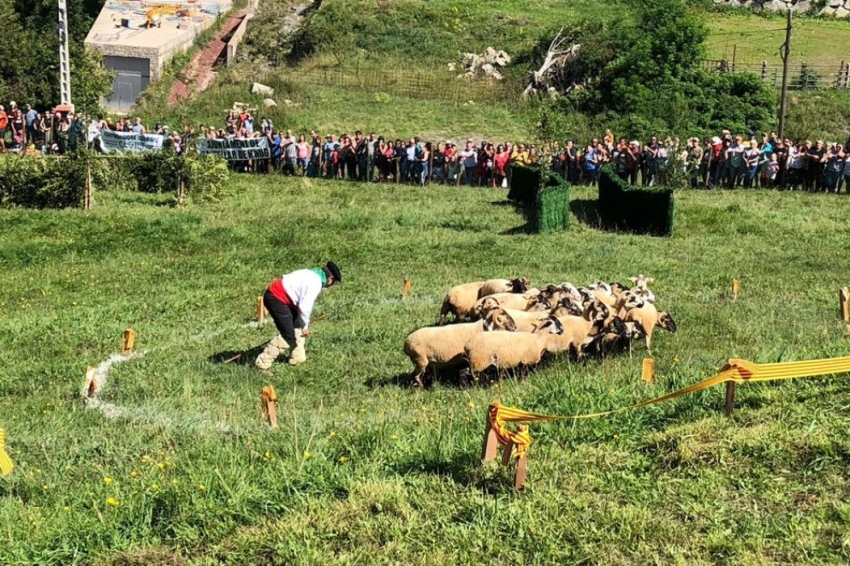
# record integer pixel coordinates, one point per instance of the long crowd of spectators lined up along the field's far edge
(726, 160)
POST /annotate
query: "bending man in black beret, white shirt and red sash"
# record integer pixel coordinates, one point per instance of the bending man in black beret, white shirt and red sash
(289, 301)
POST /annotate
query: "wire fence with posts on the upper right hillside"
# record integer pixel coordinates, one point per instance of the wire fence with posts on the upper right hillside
(801, 76)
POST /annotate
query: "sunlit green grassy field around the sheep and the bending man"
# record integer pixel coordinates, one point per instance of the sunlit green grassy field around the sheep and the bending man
(178, 467)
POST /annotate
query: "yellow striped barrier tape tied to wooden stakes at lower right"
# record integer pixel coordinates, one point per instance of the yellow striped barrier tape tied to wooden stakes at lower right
(739, 371)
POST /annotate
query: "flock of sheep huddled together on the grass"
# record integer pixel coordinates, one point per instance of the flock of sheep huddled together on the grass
(513, 327)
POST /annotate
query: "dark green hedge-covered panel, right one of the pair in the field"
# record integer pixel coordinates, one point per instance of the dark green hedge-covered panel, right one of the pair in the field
(633, 208)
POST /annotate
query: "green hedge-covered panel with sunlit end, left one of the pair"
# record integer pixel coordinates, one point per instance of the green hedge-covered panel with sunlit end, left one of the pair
(547, 207)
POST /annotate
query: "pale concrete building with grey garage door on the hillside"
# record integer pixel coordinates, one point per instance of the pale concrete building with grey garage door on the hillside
(138, 38)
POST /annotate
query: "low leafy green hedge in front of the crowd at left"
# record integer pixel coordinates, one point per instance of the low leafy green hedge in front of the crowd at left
(60, 182)
